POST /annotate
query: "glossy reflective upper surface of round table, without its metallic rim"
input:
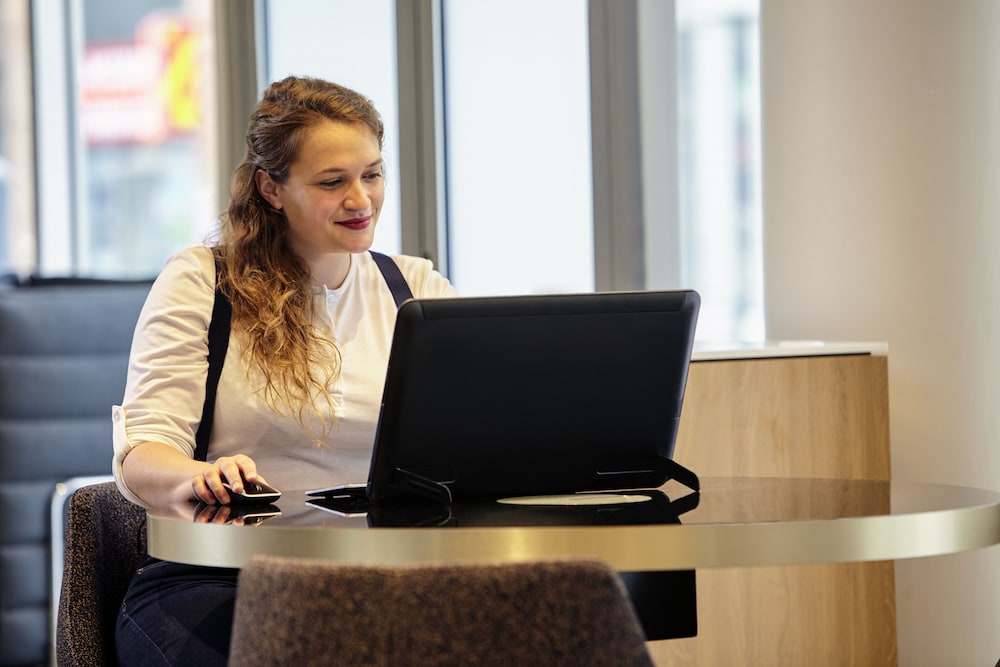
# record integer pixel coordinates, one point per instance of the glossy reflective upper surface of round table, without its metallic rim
(720, 501)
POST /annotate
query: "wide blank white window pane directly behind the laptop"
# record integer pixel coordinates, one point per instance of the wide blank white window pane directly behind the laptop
(517, 114)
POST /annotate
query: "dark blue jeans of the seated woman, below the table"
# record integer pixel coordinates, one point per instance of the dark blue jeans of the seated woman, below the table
(176, 615)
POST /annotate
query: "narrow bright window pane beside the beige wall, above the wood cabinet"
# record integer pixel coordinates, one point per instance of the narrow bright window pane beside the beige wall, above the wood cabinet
(720, 166)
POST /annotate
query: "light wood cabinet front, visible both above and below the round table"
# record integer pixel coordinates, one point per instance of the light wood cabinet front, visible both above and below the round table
(822, 417)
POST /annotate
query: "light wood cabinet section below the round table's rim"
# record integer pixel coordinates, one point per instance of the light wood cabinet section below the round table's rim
(816, 615)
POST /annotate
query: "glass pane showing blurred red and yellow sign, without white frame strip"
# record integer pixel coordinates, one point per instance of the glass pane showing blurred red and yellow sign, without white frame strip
(145, 124)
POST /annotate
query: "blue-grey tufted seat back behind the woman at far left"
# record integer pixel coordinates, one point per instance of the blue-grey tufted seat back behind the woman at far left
(63, 357)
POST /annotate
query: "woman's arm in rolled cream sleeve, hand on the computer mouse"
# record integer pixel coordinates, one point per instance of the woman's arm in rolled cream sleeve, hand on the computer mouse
(154, 427)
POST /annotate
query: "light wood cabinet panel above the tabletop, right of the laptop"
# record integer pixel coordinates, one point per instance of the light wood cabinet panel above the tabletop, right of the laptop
(790, 417)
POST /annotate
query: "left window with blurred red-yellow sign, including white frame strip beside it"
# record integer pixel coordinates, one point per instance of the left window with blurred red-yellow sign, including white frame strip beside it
(126, 131)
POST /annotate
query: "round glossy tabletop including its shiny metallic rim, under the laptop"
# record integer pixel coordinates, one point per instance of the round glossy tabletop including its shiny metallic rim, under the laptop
(737, 522)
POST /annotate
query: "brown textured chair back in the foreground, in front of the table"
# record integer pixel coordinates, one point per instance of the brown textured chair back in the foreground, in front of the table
(308, 613)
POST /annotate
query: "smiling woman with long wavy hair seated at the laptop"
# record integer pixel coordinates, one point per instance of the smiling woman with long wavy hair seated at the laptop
(312, 321)
